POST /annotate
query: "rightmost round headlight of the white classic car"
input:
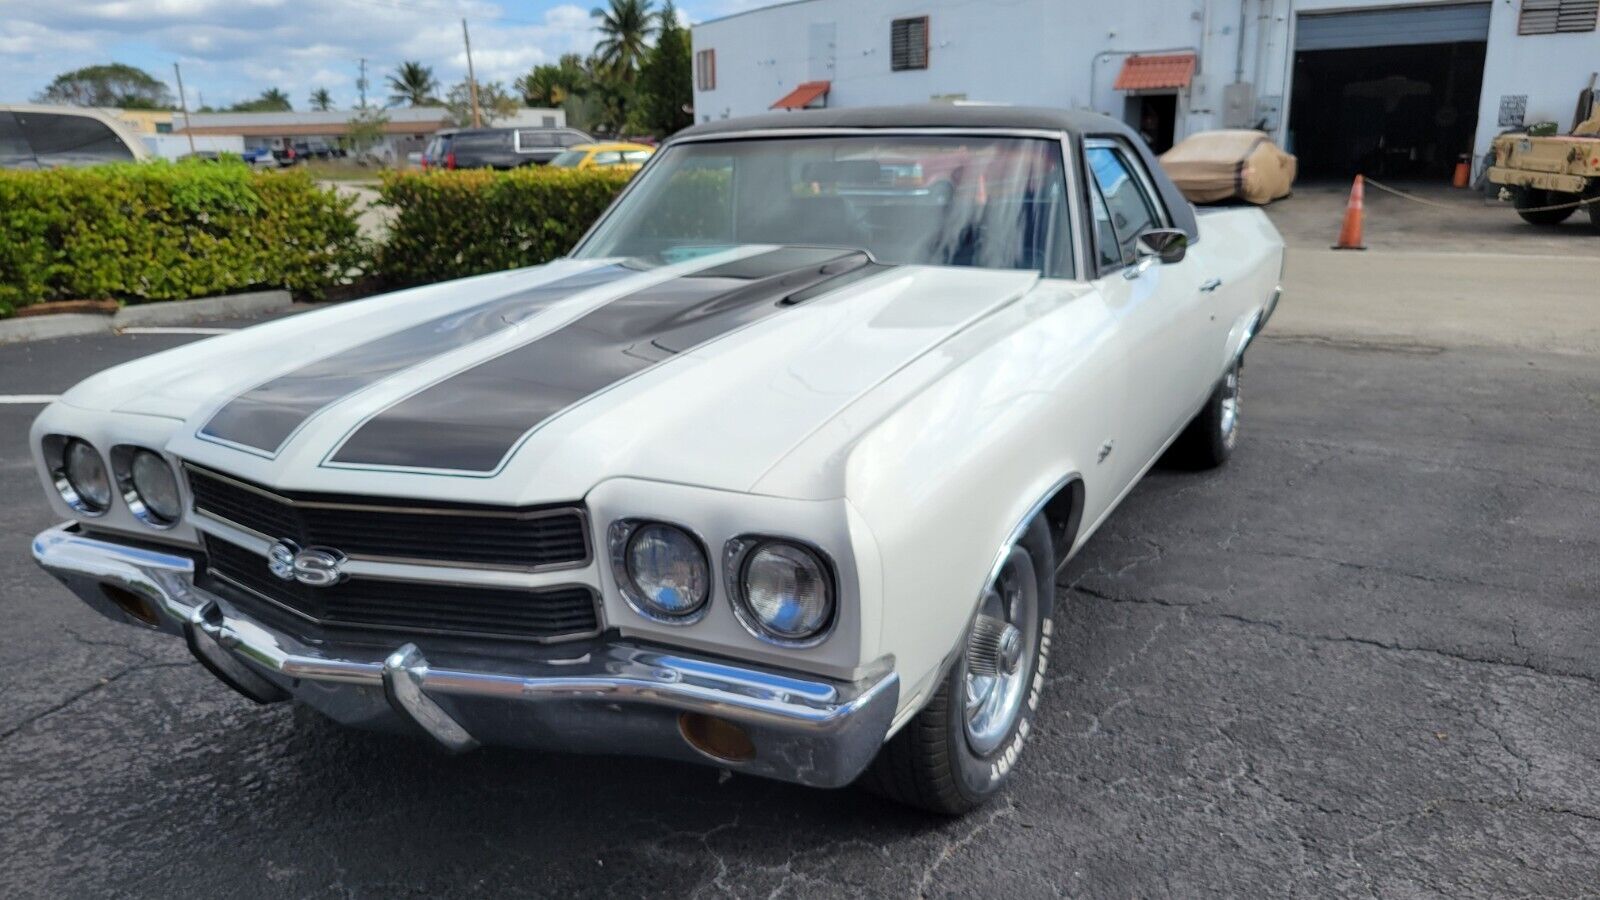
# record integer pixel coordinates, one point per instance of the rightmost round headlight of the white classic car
(785, 590)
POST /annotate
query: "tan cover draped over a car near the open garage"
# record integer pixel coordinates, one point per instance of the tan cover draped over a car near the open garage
(1223, 166)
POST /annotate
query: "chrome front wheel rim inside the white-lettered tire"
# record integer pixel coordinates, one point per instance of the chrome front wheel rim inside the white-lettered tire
(999, 646)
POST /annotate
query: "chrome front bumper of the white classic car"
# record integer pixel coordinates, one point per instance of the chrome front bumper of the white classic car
(601, 697)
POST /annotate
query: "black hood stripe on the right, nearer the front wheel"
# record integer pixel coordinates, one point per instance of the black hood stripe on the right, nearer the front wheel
(474, 420)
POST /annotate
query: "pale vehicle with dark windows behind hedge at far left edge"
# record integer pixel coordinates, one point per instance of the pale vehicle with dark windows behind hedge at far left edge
(54, 137)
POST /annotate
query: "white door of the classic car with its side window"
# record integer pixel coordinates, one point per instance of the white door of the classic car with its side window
(1159, 307)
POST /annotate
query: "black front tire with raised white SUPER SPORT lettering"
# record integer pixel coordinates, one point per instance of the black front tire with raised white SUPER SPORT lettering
(932, 763)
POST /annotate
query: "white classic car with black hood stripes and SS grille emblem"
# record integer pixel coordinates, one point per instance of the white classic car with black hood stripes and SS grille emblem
(774, 473)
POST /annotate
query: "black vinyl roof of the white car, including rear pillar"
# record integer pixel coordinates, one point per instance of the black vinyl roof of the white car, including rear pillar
(1076, 123)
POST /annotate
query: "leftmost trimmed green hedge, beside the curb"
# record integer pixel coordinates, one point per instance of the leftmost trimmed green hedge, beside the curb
(158, 231)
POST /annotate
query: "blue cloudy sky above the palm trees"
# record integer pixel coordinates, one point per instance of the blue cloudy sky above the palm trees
(233, 50)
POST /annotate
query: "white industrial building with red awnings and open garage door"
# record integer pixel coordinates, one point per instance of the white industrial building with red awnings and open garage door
(1386, 87)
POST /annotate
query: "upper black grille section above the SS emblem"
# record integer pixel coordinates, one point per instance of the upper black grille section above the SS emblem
(375, 528)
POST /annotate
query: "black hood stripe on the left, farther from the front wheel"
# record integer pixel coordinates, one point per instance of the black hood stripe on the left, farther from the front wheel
(266, 417)
